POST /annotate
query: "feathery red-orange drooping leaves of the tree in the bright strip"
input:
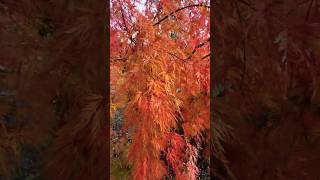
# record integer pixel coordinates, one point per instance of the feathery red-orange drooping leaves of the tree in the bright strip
(167, 86)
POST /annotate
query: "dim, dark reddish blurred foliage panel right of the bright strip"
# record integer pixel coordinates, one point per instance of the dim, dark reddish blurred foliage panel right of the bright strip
(266, 74)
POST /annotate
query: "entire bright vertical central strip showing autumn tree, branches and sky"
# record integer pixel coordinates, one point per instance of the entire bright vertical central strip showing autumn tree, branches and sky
(160, 89)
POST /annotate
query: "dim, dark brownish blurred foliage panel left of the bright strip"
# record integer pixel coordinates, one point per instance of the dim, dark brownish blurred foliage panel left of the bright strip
(53, 89)
